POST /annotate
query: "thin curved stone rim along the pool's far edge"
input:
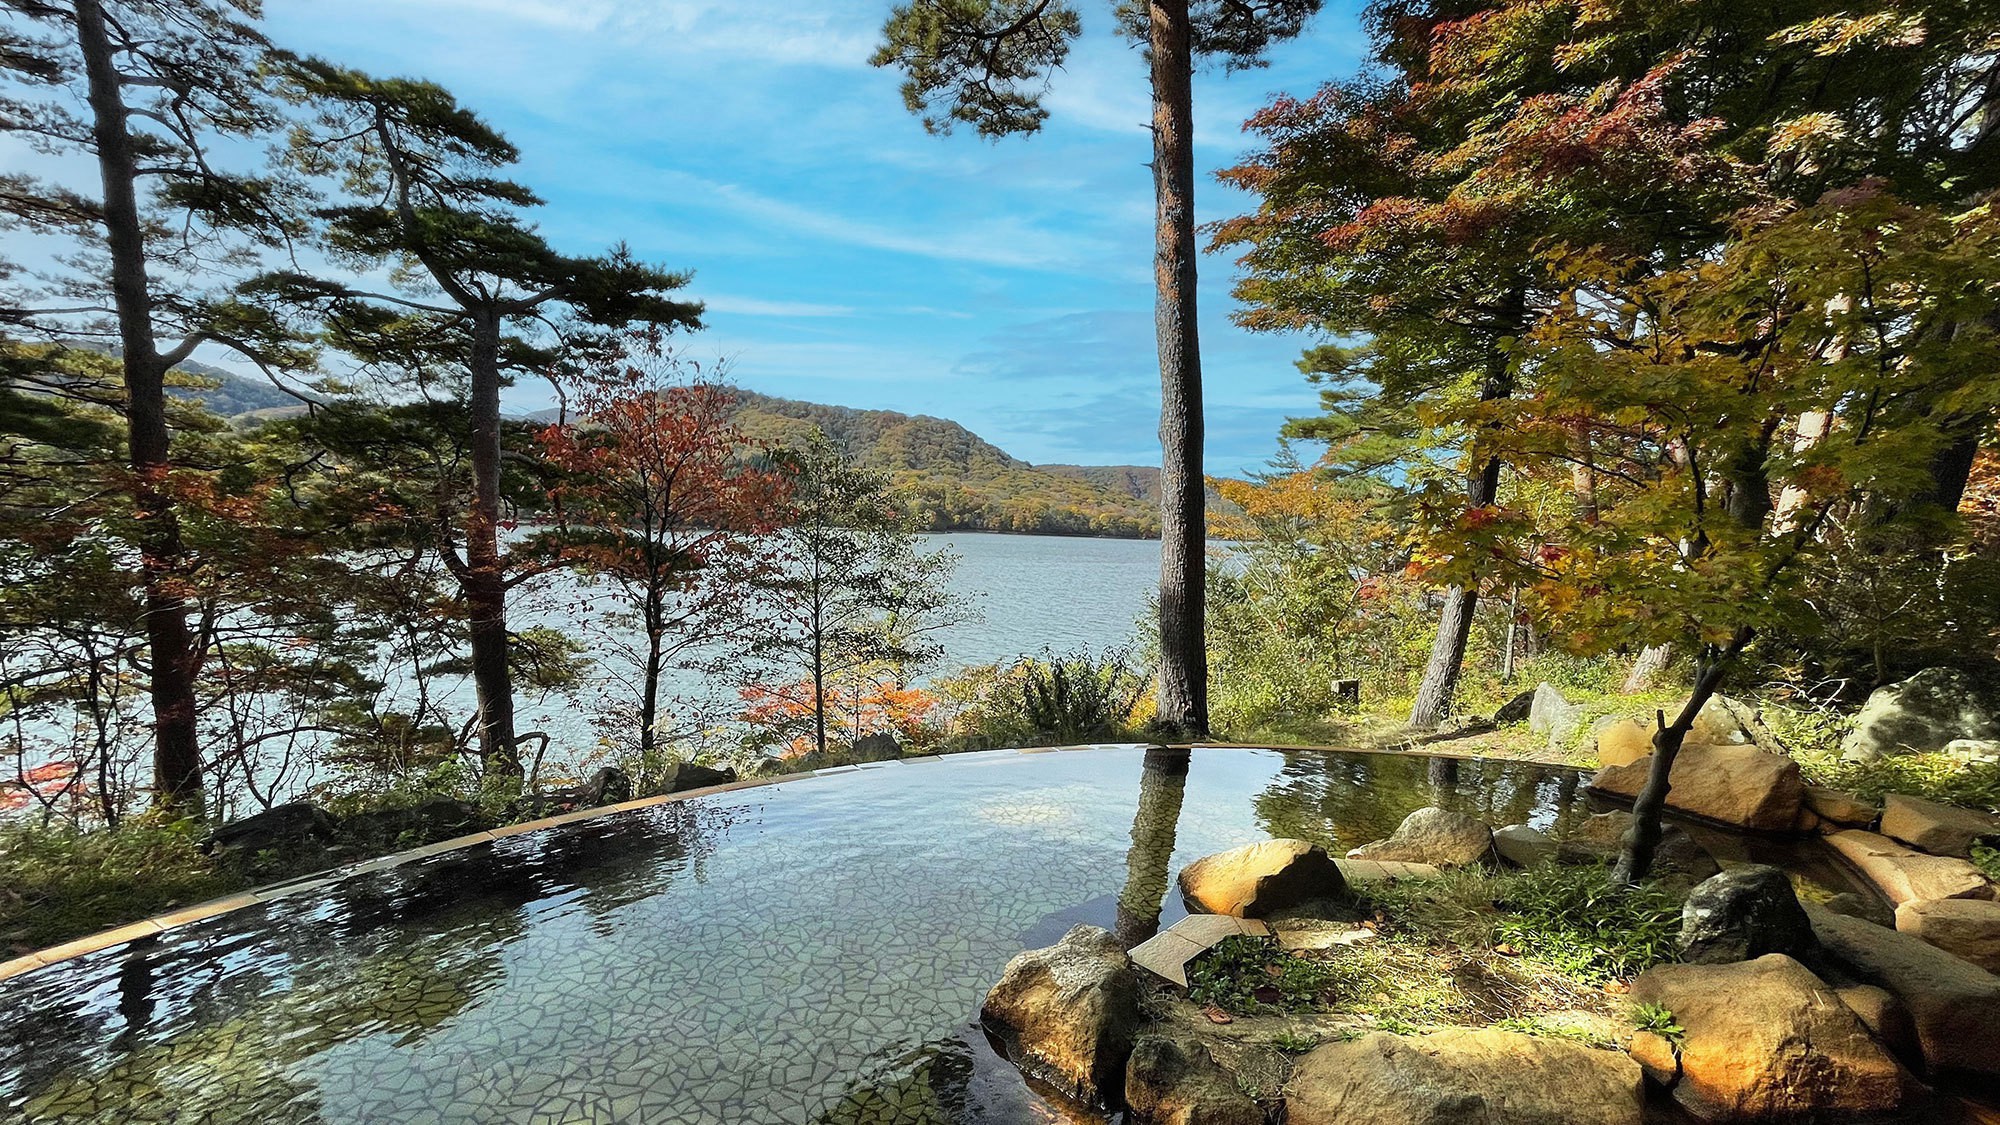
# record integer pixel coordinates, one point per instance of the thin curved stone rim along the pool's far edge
(321, 880)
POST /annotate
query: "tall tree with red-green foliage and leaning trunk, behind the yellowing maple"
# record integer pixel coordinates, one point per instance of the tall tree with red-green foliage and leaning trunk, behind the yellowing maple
(1409, 209)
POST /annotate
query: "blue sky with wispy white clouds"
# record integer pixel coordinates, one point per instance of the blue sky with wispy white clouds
(847, 255)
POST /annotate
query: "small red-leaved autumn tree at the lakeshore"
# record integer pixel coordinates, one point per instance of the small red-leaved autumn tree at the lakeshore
(665, 497)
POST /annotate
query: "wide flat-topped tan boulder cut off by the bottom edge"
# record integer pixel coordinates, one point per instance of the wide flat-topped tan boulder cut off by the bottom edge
(1451, 1078)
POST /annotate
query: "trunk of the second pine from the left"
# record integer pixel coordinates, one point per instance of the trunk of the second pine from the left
(485, 580)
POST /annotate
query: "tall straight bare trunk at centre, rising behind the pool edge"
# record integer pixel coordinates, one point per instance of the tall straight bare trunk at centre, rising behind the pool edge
(1183, 509)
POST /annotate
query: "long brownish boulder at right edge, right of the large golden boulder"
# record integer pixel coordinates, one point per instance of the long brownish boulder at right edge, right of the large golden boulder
(1953, 1004)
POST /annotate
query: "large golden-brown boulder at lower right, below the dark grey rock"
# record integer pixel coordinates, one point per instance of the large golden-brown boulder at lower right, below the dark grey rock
(1769, 1042)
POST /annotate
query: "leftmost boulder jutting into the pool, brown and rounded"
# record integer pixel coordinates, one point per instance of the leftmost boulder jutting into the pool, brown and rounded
(1069, 1014)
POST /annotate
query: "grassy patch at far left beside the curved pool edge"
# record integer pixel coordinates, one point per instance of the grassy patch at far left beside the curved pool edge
(61, 884)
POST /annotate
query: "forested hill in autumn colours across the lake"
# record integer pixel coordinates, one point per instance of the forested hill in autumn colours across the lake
(959, 481)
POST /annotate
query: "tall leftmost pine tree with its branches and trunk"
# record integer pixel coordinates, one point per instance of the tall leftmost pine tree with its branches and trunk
(159, 97)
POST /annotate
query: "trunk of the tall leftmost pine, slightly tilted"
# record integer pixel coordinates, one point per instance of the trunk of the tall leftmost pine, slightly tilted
(177, 758)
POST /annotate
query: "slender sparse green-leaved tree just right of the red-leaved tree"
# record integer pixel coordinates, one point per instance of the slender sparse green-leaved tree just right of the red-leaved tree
(851, 588)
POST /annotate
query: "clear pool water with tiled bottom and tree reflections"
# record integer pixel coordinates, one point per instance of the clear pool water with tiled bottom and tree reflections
(805, 952)
